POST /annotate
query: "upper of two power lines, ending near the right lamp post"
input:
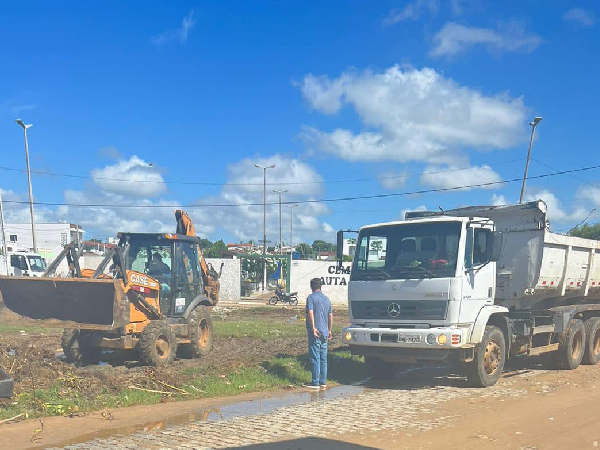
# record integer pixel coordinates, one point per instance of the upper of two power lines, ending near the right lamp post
(210, 183)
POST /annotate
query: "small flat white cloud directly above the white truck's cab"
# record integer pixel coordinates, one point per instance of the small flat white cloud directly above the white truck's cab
(451, 177)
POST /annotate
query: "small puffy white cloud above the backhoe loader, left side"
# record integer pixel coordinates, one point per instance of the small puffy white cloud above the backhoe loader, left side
(145, 180)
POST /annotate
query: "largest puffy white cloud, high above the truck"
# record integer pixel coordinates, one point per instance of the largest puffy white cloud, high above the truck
(412, 115)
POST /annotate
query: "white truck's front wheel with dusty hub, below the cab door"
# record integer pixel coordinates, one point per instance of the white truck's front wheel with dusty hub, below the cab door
(490, 356)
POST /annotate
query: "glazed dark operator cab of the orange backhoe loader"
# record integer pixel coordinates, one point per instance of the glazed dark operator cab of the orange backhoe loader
(172, 260)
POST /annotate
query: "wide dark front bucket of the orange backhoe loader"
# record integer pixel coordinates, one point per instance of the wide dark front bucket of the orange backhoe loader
(73, 302)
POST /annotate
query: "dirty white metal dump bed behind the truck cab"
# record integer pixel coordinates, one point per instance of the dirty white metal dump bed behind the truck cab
(537, 268)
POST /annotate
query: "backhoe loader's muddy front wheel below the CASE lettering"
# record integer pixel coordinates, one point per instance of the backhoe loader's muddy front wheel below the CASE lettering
(157, 344)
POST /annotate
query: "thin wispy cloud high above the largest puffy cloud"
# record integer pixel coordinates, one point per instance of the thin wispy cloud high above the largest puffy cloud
(455, 38)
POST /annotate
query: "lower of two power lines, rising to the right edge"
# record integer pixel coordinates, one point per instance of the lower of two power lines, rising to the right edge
(331, 200)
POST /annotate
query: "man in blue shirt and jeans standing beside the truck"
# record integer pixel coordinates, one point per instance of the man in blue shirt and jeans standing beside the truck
(319, 320)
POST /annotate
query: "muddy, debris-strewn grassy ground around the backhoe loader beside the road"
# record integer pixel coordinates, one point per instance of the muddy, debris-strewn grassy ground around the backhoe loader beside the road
(255, 350)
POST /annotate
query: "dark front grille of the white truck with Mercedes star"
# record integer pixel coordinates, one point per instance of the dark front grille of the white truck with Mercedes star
(409, 310)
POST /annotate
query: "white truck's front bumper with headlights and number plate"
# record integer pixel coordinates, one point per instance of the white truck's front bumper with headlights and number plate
(442, 338)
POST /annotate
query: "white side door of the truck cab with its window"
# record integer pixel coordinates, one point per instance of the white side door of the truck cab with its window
(479, 275)
